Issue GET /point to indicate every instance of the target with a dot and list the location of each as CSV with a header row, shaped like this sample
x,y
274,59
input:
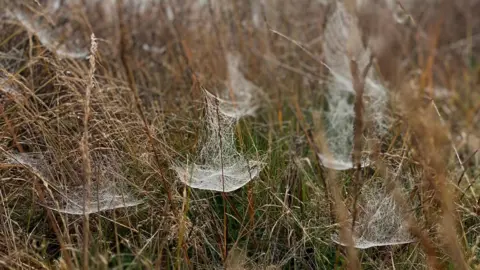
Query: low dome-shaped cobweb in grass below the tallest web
x,y
380,221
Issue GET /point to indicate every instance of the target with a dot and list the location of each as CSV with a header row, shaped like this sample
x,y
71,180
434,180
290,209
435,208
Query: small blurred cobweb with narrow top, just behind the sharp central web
x,y
240,99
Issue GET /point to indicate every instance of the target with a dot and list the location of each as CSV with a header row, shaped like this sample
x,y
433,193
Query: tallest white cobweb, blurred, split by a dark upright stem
x,y
342,42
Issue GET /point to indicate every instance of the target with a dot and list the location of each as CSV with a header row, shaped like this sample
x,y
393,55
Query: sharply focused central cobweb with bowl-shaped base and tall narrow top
x,y
222,167
